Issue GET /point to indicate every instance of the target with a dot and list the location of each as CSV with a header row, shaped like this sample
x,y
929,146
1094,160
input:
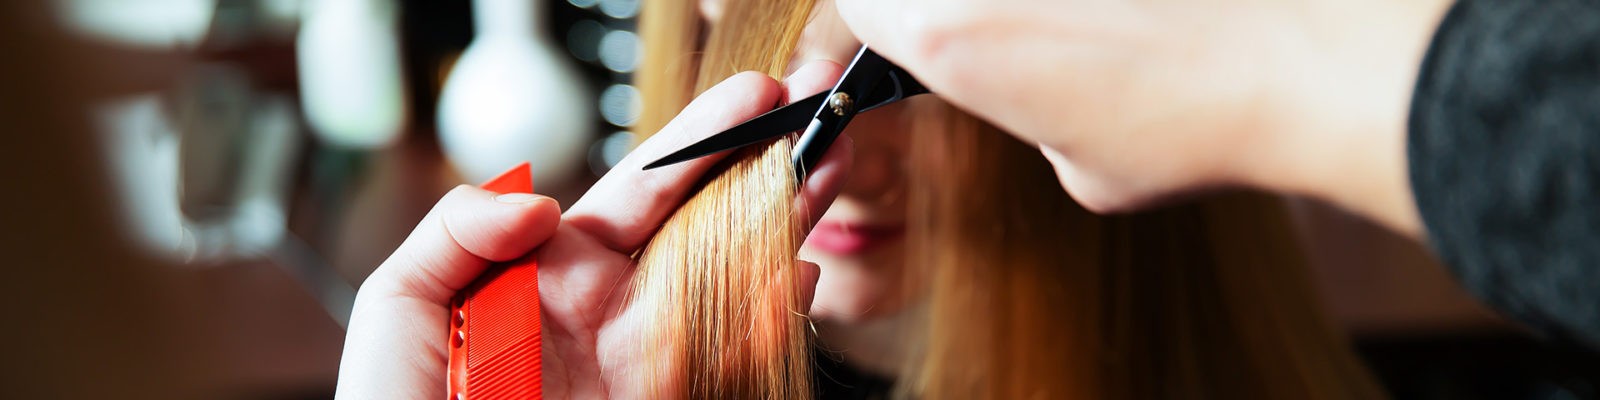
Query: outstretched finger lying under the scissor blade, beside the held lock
x,y
628,206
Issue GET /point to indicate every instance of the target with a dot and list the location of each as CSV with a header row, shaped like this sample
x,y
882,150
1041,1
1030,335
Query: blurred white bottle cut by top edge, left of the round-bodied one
x,y
350,73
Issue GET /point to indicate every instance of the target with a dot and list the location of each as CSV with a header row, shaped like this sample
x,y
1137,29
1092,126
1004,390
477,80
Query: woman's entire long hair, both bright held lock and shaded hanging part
x,y
1028,295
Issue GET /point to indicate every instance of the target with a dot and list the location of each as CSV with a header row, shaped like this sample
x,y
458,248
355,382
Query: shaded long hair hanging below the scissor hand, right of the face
x,y
1031,297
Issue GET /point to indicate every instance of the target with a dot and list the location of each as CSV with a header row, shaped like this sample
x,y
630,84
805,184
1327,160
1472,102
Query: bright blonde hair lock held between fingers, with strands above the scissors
x,y
726,263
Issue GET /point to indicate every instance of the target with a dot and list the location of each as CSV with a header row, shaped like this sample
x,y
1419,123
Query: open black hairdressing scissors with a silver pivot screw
x,y
868,84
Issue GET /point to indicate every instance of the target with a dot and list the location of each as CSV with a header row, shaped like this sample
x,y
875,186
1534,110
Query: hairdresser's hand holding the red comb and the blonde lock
x,y
398,342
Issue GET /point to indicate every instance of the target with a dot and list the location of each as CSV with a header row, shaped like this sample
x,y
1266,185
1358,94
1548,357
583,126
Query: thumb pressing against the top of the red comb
x,y
466,231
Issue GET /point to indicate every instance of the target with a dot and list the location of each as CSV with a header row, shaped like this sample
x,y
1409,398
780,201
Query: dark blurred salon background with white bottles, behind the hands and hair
x,y
196,190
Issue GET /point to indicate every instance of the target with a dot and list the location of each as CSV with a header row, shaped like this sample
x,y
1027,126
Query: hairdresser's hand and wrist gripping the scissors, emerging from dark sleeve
x,y
1143,102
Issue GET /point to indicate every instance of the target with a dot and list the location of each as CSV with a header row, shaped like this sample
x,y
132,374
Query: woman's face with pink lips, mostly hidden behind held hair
x,y
860,242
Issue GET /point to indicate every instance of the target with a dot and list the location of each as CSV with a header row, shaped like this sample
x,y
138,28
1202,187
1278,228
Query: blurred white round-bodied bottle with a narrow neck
x,y
513,98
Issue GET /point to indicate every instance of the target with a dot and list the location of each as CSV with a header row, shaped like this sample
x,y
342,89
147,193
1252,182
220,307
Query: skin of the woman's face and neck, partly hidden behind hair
x,y
860,298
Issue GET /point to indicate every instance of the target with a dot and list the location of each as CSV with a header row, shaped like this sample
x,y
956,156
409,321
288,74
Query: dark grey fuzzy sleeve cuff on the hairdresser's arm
x,y
1505,156
